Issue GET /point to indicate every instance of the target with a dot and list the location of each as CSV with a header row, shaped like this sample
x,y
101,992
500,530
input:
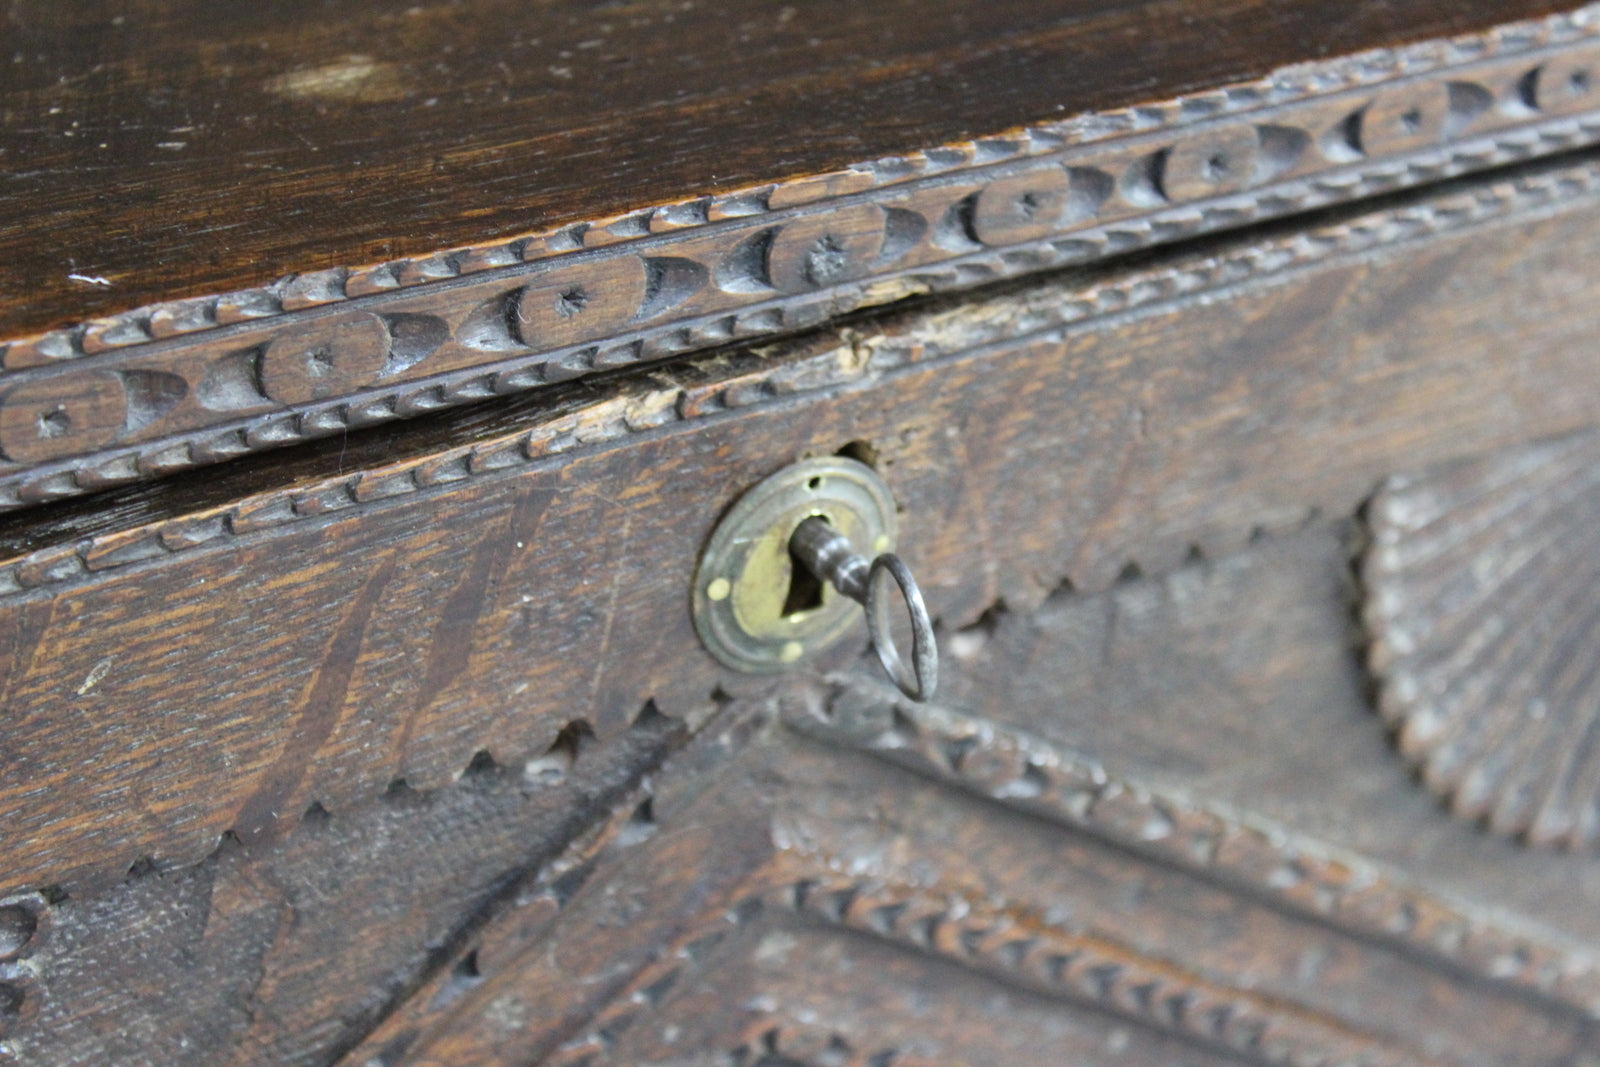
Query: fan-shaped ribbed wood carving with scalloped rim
x,y
1484,610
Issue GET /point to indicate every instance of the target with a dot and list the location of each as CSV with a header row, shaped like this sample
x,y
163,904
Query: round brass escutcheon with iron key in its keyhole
x,y
782,578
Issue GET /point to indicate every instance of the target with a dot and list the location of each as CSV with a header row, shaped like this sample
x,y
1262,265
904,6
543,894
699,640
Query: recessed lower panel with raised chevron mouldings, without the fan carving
x,y
1161,901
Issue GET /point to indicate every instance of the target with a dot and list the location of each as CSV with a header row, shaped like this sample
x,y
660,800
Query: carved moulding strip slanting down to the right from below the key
x,y
1298,873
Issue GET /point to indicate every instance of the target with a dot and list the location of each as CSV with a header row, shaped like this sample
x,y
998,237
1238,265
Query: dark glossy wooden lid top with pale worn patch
x,y
190,148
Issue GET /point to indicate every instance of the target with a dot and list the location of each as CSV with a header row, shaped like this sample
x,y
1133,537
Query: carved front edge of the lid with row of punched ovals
x,y
199,382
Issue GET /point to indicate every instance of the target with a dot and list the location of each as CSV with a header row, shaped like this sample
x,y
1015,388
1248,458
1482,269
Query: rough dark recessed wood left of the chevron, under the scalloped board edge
x,y
290,953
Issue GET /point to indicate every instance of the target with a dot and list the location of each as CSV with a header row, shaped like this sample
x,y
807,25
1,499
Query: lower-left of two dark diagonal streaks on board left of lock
x,y
318,714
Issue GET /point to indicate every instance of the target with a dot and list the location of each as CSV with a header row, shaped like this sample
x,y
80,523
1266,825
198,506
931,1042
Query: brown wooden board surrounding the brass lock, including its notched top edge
x,y
500,577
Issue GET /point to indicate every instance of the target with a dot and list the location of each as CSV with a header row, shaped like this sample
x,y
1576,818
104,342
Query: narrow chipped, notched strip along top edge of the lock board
x,y
606,414
